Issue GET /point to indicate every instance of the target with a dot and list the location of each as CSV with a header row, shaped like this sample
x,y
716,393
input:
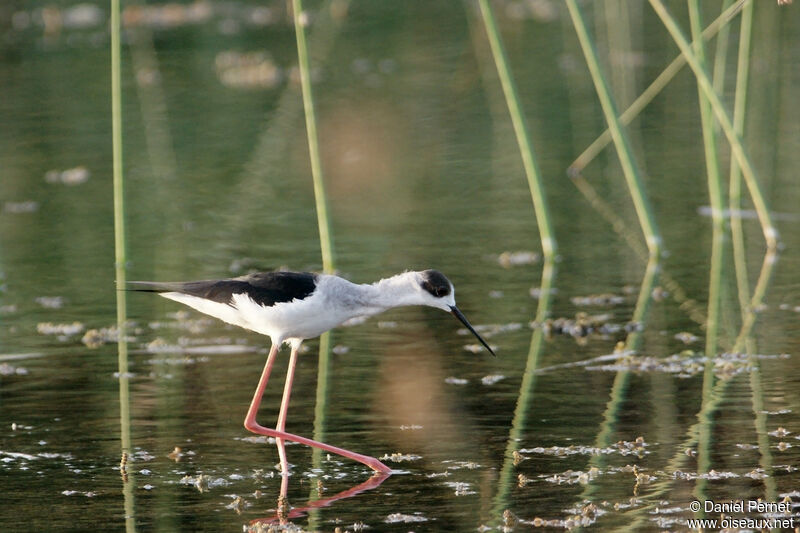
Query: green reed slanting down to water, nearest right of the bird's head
x,y
521,130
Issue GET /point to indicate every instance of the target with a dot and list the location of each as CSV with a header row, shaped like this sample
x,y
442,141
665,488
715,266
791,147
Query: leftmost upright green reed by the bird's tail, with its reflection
x,y
120,261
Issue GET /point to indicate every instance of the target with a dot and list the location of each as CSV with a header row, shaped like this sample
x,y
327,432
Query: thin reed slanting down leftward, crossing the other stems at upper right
x,y
649,94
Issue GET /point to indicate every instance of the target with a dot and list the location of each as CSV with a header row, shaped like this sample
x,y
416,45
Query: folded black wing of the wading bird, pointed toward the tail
x,y
265,288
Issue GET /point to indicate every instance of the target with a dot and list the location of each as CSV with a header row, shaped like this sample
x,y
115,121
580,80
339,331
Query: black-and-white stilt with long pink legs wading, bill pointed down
x,y
293,306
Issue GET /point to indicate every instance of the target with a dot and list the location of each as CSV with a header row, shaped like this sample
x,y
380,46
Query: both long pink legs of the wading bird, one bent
x,y
251,425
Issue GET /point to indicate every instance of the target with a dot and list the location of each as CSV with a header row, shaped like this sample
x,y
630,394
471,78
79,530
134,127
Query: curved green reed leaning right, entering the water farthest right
x,y
735,141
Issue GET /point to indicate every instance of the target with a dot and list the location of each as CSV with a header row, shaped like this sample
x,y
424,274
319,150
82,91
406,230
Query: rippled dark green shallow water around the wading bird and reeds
x,y
423,171
